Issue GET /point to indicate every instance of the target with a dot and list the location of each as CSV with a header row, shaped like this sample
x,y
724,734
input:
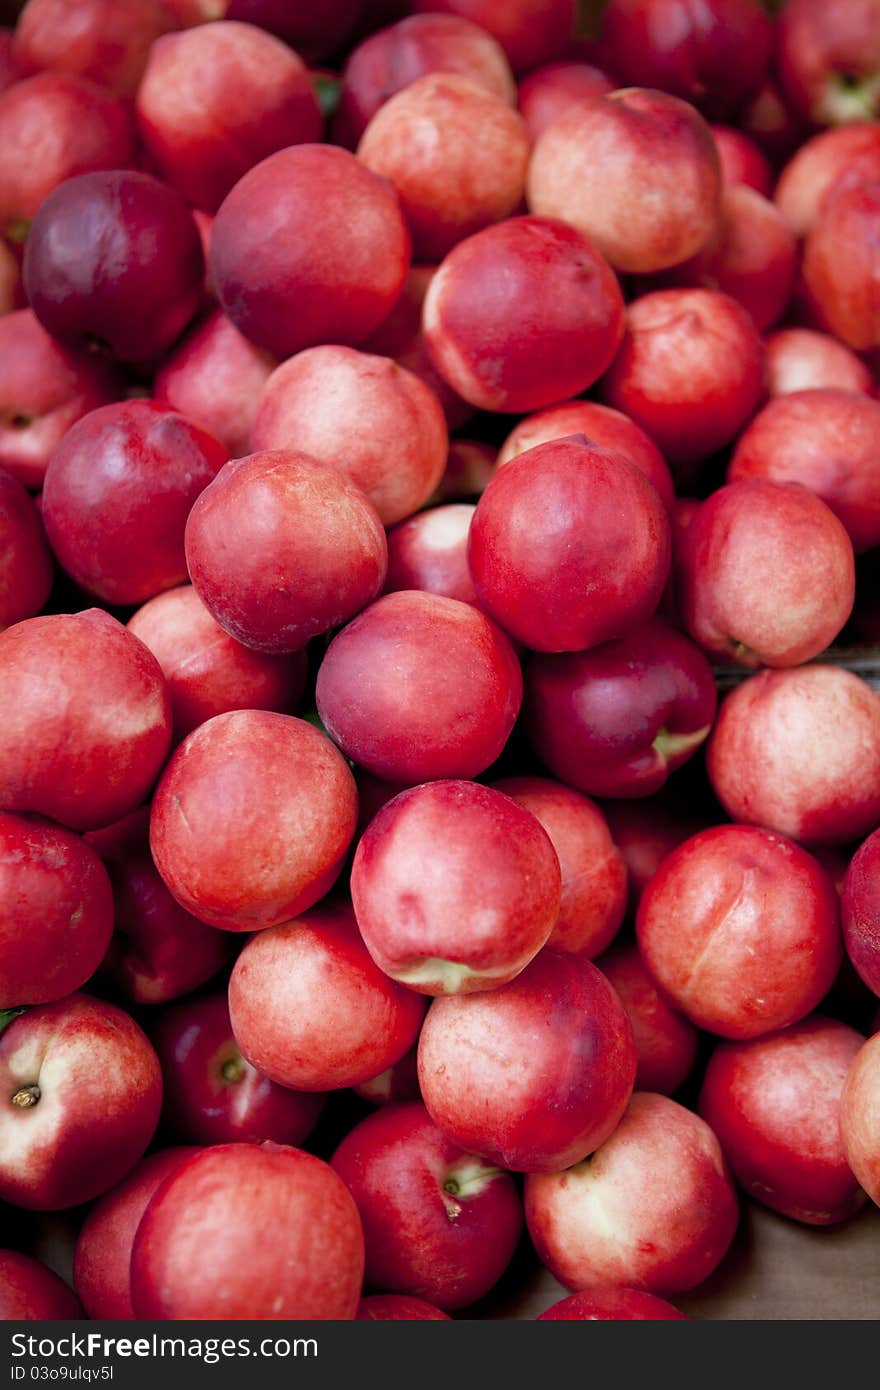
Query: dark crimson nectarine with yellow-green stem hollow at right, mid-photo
x,y
618,719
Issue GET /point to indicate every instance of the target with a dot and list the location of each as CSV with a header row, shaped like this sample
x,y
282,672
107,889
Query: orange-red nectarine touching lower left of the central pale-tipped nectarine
x,y
312,1011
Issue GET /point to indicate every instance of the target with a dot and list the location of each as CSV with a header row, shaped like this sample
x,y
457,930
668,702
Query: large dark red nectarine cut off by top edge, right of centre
x,y
712,55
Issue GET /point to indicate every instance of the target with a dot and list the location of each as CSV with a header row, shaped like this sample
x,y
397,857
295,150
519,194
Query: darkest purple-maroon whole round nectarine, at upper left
x,y
115,261
